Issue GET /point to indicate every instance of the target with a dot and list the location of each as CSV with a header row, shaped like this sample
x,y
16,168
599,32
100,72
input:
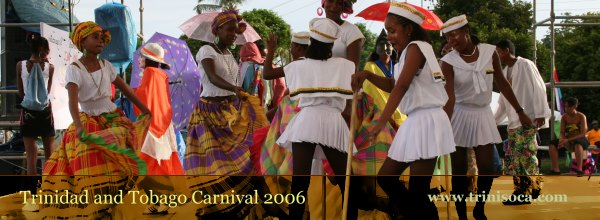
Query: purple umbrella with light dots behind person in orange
x,y
184,77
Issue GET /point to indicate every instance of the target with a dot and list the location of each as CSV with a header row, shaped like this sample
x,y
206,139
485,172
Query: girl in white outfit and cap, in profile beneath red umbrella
x,y
418,90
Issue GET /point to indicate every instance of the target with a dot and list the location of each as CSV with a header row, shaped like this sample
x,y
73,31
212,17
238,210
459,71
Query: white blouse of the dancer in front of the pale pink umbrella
x,y
225,66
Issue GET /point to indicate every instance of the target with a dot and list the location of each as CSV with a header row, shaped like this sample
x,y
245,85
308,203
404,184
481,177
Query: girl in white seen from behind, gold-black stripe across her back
x,y
322,85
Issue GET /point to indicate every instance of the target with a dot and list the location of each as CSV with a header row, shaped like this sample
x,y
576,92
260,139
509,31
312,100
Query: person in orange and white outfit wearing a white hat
x,y
159,149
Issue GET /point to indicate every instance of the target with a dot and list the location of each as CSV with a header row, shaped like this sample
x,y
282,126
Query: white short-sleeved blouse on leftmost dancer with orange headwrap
x,y
94,88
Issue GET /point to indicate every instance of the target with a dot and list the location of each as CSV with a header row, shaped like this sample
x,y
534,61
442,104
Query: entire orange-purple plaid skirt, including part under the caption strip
x,y
220,134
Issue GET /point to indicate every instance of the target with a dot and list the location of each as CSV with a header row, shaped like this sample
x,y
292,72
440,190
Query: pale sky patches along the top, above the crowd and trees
x,y
166,16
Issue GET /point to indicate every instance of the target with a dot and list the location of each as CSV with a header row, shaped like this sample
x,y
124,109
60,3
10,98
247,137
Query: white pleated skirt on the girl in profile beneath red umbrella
x,y
425,134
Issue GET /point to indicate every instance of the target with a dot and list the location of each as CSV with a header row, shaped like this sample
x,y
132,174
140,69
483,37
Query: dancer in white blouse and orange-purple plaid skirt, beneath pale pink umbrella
x,y
221,127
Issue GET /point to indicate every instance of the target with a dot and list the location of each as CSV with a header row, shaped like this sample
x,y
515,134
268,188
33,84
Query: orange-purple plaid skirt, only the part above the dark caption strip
x,y
220,136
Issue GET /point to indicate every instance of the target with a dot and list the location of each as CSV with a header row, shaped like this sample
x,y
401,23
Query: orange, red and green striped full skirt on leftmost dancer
x,y
102,161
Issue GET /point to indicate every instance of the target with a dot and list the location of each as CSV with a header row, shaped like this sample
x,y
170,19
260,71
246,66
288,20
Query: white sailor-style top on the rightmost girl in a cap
x,y
473,81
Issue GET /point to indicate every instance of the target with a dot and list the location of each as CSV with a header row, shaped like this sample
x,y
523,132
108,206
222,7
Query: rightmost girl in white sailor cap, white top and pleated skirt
x,y
470,70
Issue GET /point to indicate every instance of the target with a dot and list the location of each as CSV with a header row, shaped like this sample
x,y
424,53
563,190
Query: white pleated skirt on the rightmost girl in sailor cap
x,y
474,126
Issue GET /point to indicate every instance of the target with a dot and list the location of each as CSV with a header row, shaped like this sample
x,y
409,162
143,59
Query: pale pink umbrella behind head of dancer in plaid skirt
x,y
199,26
